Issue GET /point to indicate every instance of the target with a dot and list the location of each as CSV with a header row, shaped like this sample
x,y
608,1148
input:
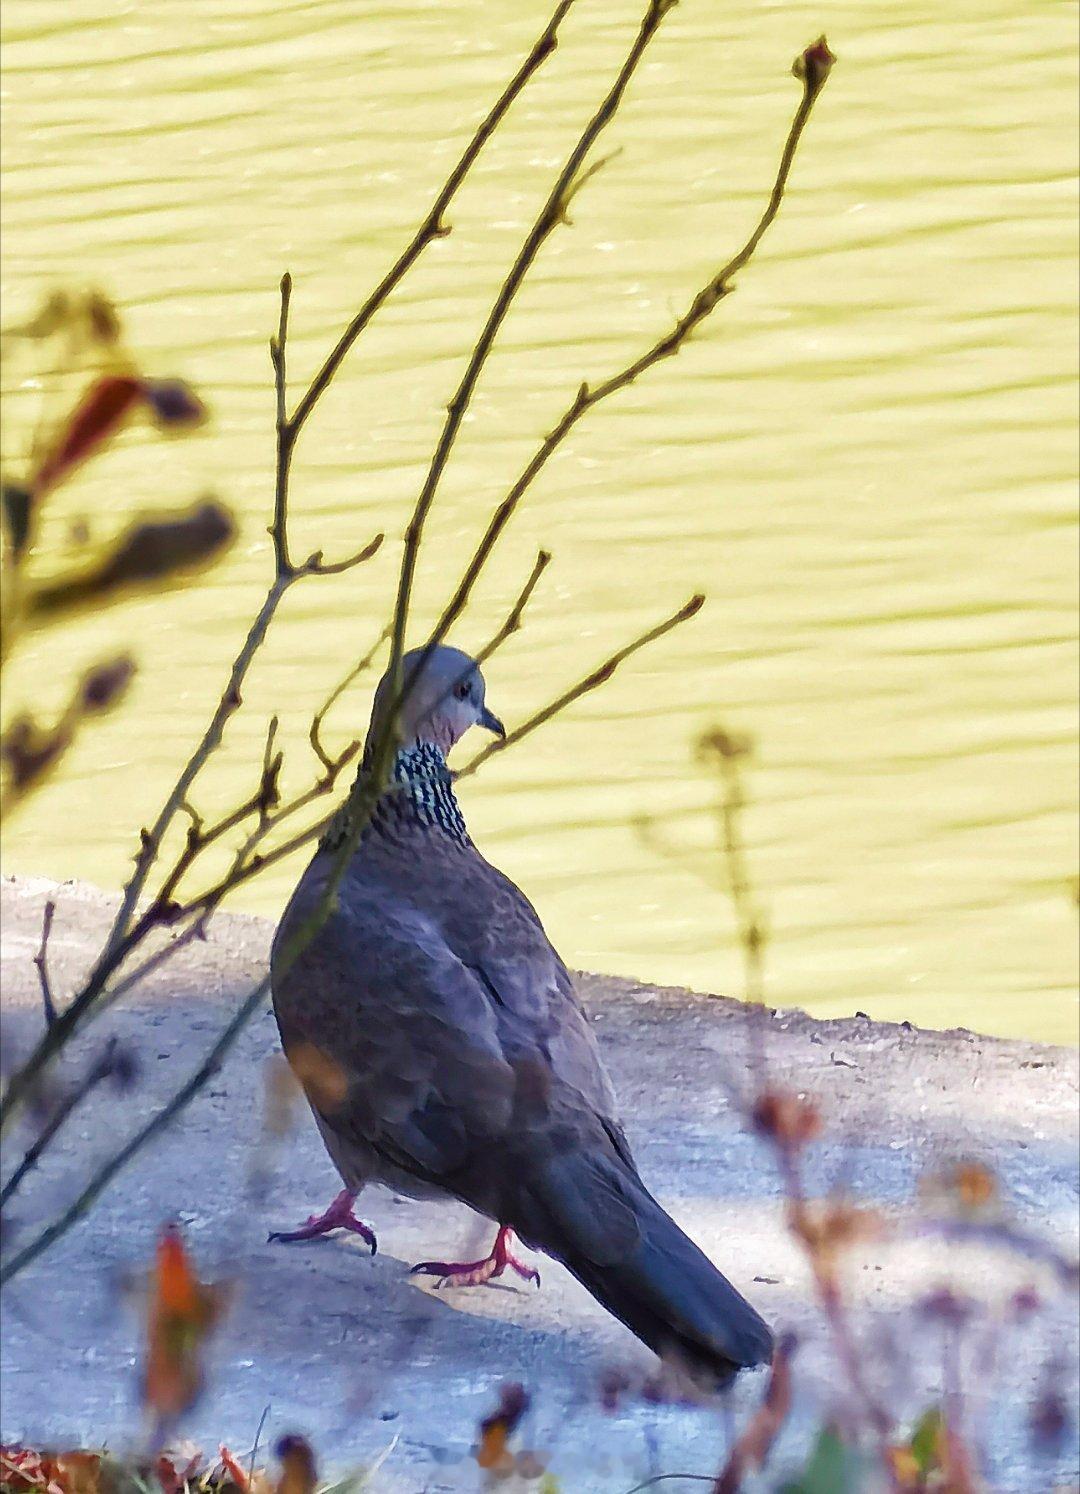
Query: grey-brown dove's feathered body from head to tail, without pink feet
x,y
468,1061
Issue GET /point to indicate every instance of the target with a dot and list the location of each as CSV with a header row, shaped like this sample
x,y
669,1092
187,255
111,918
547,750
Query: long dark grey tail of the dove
x,y
595,1215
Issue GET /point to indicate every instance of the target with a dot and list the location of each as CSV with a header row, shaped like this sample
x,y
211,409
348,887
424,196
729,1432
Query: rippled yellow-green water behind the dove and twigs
x,y
867,461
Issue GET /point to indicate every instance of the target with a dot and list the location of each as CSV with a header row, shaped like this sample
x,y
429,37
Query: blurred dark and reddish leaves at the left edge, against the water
x,y
92,389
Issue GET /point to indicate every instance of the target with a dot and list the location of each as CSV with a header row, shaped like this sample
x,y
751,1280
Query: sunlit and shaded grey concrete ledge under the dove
x,y
353,1353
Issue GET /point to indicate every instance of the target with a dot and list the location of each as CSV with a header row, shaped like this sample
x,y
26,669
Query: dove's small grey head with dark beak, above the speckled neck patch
x,y
446,700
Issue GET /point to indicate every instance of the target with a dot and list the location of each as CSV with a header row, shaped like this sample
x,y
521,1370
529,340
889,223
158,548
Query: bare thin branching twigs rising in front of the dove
x,y
264,813
